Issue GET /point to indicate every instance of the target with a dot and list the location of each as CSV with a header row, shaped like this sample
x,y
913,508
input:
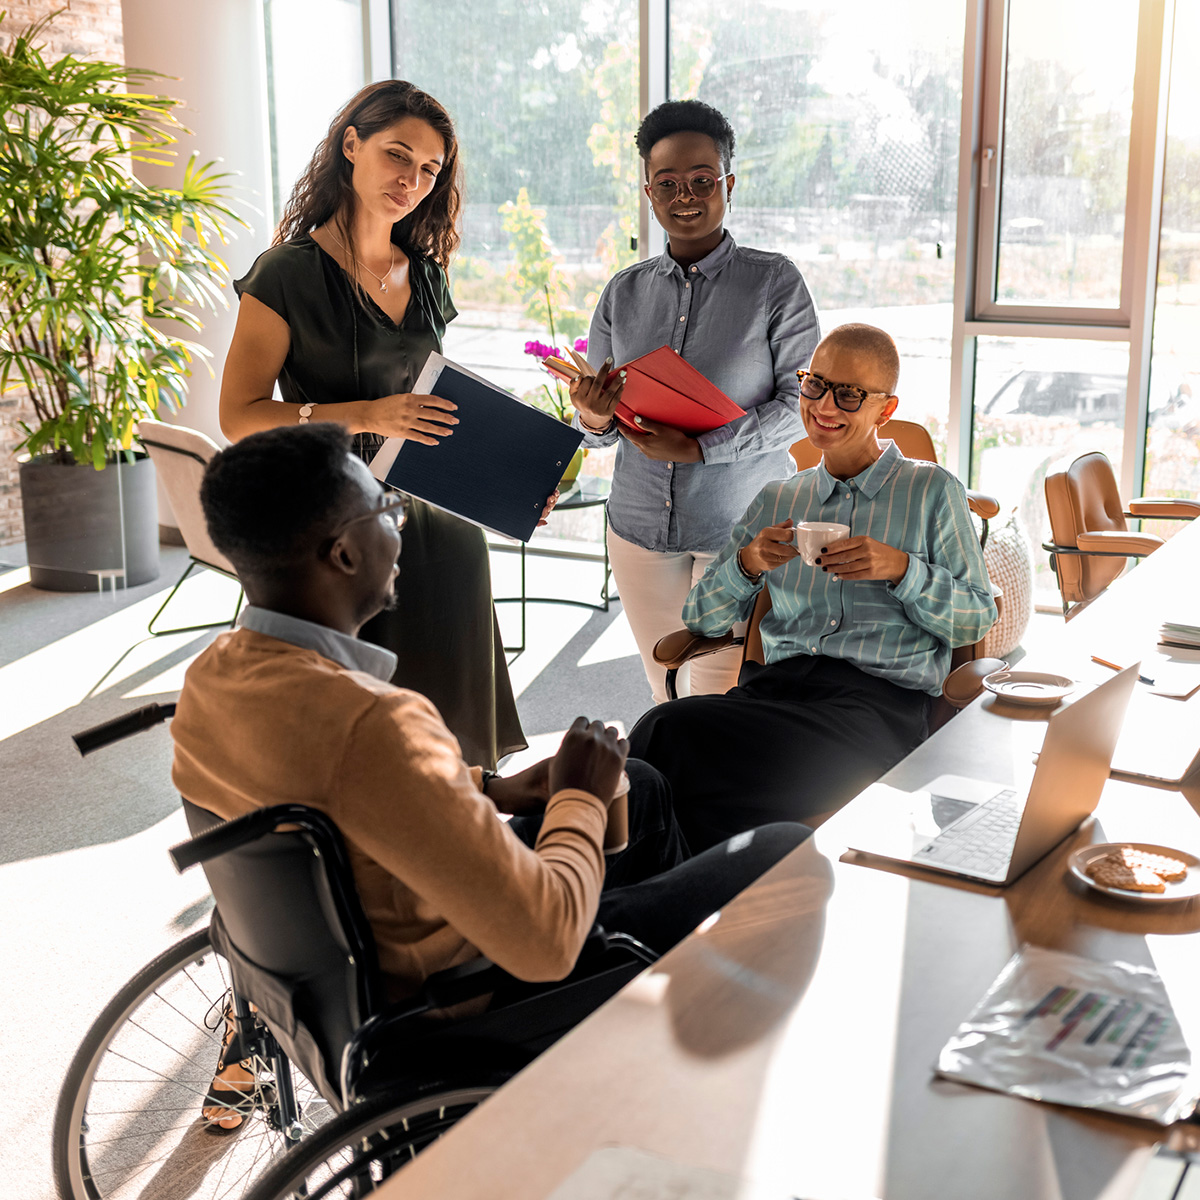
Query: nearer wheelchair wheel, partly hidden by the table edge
x,y
355,1153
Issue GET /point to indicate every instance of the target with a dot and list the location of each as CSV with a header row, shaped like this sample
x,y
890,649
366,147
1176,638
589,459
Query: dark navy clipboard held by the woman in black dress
x,y
499,467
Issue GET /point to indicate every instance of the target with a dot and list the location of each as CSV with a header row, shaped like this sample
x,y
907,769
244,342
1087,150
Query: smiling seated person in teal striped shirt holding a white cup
x,y
860,634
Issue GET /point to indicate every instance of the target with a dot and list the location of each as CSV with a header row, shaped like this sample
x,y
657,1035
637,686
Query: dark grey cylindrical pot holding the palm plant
x,y
85,526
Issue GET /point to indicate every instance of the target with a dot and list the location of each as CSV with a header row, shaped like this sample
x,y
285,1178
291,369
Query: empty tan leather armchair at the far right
x,y
1090,541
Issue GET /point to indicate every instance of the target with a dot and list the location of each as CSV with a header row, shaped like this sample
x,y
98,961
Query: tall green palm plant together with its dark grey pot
x,y
100,277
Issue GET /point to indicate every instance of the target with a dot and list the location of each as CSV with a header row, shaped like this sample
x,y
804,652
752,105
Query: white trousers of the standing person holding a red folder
x,y
653,589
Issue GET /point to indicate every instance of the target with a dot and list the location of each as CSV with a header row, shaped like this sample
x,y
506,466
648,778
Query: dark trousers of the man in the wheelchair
x,y
657,890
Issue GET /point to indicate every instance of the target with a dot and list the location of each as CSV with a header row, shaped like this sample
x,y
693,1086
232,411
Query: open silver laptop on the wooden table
x,y
993,833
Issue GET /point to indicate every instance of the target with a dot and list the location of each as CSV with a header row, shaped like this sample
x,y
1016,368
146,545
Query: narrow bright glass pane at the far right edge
x,y
1173,446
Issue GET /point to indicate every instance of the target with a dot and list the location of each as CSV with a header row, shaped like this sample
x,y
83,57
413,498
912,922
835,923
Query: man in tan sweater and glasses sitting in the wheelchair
x,y
292,709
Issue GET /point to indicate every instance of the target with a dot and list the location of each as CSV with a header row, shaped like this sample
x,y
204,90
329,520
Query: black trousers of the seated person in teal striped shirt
x,y
795,739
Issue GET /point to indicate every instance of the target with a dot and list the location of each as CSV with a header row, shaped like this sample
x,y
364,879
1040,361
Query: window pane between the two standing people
x,y
545,101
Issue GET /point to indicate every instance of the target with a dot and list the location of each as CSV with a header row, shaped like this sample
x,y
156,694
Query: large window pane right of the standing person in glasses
x,y
848,128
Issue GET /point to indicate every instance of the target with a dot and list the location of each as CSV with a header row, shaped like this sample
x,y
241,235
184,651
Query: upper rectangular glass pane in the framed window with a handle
x,y
1066,153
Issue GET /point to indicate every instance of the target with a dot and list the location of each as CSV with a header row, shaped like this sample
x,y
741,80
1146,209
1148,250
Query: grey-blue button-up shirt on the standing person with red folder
x,y
746,320
